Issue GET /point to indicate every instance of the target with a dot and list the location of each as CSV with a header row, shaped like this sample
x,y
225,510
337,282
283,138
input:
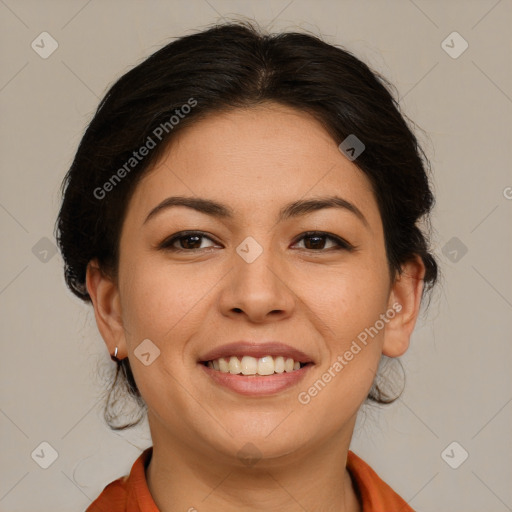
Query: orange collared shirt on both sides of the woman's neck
x,y
131,494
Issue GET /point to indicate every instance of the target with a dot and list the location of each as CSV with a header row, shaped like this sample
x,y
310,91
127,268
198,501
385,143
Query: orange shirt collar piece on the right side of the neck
x,y
375,494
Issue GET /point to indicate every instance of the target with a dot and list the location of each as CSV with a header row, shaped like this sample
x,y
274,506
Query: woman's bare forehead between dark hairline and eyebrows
x,y
254,159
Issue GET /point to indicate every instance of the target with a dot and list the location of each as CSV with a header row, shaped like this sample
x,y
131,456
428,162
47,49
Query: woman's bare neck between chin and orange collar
x,y
180,479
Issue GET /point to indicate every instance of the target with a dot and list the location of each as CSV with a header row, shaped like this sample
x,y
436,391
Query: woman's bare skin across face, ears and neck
x,y
316,299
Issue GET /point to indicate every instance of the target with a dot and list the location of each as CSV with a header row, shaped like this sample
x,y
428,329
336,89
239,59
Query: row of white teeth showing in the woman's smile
x,y
249,365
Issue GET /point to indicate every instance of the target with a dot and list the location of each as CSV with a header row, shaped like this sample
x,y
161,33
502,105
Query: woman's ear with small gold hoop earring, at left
x,y
107,308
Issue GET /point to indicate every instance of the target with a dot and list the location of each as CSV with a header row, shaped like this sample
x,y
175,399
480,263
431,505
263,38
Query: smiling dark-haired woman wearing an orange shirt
x,y
242,213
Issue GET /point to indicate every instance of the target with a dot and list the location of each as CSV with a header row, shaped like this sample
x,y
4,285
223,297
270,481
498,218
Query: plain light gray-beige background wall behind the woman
x,y
54,364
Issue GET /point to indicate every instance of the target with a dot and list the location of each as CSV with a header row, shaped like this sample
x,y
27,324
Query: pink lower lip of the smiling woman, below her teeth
x,y
257,385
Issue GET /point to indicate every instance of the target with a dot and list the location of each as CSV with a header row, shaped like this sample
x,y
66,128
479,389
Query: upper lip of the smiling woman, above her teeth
x,y
257,350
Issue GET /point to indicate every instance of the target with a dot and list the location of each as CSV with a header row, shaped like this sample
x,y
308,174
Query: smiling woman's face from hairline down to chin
x,y
254,276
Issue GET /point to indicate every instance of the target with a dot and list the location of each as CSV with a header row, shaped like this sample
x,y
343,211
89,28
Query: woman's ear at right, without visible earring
x,y
405,291
